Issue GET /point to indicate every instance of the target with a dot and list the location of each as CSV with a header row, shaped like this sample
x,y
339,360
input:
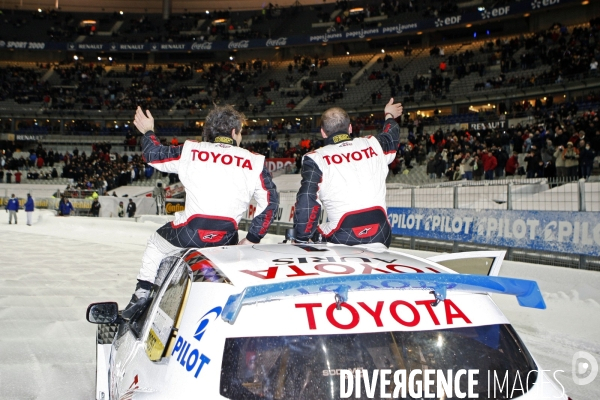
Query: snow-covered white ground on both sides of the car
x,y
51,271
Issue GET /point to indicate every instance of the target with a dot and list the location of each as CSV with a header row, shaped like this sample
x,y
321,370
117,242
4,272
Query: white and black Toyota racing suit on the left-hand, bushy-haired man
x,y
220,179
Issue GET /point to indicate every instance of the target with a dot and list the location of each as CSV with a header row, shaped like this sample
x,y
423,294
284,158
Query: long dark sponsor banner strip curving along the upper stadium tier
x,y
509,10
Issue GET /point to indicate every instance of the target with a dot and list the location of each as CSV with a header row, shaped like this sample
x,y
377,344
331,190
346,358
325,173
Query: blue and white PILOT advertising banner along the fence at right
x,y
557,231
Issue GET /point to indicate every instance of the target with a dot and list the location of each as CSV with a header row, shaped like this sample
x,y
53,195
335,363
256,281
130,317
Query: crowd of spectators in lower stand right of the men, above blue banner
x,y
563,143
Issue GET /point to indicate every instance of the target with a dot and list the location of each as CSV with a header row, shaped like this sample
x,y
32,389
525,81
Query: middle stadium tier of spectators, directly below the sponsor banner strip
x,y
353,81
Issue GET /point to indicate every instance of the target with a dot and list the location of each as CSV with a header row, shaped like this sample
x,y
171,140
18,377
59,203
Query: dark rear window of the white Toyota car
x,y
308,367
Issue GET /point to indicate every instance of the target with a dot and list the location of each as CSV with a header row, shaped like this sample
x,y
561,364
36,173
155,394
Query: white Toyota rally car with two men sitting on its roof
x,y
320,322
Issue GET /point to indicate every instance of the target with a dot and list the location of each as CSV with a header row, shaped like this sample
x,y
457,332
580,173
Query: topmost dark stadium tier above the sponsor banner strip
x,y
271,22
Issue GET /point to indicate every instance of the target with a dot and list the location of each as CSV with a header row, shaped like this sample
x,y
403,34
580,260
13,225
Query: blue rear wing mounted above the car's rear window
x,y
527,292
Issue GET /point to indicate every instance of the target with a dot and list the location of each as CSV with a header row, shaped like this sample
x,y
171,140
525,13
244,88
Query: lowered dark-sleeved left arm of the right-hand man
x,y
307,209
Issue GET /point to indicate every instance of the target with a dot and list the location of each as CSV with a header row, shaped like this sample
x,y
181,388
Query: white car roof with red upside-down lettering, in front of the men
x,y
244,266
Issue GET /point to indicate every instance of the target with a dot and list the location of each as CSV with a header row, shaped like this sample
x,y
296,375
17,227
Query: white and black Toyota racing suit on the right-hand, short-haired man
x,y
347,177
